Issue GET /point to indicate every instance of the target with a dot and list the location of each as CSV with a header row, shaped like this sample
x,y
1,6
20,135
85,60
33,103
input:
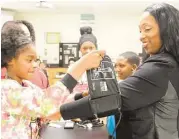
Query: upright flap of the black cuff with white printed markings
x,y
103,89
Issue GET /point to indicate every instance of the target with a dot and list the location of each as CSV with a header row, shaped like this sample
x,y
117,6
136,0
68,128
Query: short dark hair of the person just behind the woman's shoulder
x,y
131,57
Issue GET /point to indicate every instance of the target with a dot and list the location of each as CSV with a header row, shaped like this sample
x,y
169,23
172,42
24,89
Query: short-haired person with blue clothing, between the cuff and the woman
x,y
125,65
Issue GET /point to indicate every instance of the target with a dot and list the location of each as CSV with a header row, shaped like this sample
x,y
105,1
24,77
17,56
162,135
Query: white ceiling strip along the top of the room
x,y
81,6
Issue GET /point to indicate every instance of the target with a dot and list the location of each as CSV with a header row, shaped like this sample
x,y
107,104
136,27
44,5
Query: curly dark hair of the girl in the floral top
x,y
13,39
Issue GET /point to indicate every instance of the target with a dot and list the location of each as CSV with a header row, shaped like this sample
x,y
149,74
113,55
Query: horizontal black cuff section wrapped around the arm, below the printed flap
x,y
87,108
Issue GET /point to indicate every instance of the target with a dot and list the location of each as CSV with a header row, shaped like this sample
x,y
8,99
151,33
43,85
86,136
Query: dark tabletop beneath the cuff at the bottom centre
x,y
76,133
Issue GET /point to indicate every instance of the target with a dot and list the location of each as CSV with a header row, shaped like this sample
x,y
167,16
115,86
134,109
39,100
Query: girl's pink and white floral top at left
x,y
21,103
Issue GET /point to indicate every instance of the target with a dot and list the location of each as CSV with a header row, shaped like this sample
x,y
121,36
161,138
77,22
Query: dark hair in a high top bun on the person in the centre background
x,y
87,35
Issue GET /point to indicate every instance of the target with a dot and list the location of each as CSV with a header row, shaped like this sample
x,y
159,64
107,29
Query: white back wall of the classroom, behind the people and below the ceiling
x,y
115,32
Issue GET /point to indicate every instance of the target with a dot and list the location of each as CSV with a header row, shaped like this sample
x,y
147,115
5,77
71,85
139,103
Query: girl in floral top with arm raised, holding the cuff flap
x,y
23,102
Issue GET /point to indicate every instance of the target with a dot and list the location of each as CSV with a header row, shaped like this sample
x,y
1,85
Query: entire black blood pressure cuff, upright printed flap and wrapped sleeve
x,y
104,95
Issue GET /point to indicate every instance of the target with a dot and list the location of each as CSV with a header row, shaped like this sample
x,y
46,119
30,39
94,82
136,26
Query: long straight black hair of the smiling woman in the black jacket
x,y
167,17
